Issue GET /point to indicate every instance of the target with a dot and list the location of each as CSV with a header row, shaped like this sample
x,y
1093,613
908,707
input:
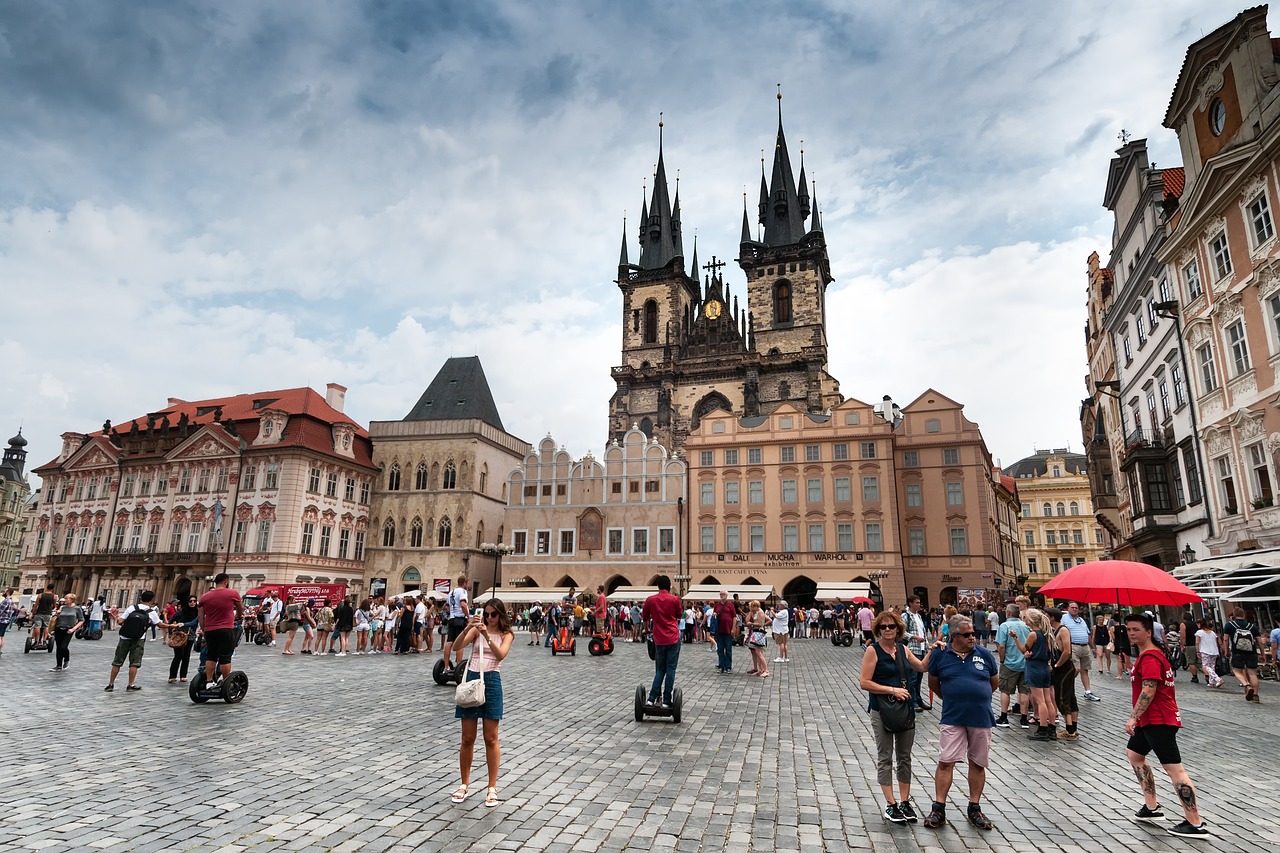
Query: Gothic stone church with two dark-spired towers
x,y
691,346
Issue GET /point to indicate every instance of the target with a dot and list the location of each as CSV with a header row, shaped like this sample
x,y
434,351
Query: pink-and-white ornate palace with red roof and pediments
x,y
272,487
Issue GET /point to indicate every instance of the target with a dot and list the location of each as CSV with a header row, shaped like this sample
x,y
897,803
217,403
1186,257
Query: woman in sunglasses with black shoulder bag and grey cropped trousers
x,y
885,668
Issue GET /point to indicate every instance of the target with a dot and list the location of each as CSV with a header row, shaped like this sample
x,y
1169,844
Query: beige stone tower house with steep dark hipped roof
x,y
442,485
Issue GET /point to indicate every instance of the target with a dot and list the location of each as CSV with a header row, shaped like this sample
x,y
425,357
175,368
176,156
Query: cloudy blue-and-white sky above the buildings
x,y
203,199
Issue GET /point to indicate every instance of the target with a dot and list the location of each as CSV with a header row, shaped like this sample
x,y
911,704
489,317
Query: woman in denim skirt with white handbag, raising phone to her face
x,y
490,636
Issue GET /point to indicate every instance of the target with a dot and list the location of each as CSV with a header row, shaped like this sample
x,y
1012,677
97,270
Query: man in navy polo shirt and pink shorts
x,y
964,676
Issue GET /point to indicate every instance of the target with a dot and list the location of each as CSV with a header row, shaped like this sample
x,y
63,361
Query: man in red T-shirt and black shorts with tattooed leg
x,y
1154,728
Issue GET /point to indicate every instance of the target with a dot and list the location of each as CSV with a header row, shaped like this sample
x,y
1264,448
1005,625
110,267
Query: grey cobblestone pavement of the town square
x,y
360,754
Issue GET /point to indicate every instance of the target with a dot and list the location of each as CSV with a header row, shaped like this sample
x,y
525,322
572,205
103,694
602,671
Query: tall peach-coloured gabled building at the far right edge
x,y
1224,262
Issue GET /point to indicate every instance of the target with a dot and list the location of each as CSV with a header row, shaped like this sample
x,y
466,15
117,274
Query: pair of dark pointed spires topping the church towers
x,y
784,208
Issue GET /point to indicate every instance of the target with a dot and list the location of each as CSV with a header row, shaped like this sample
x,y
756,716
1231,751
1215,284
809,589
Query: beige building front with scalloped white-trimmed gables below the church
x,y
612,522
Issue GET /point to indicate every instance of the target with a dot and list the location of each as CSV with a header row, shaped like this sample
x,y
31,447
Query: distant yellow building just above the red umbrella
x,y
1059,528
